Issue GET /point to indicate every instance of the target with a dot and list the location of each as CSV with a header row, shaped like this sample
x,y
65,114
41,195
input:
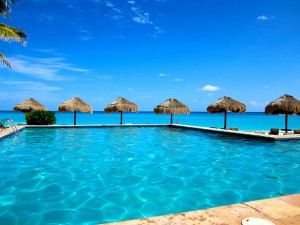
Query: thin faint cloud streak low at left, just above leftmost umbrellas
x,y
31,86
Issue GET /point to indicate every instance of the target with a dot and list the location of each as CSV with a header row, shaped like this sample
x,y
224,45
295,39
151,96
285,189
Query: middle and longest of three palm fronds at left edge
x,y
9,33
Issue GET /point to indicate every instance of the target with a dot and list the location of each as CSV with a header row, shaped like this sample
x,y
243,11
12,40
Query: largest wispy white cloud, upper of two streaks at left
x,y
43,68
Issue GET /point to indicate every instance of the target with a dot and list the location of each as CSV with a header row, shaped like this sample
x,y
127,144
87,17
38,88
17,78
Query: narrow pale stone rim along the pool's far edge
x,y
247,134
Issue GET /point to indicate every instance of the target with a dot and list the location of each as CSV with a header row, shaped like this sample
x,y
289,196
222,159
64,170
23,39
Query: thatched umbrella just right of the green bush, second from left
x,y
75,104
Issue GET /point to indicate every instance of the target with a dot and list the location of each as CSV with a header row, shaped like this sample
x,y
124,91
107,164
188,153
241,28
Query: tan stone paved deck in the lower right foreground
x,y
283,210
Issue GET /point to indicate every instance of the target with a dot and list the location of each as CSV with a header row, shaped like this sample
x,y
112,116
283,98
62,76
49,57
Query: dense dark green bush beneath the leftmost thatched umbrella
x,y
40,117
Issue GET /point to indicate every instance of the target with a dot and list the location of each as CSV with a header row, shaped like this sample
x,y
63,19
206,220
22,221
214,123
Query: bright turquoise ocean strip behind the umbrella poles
x,y
243,121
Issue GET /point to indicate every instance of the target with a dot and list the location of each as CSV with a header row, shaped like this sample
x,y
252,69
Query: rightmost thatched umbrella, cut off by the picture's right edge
x,y
286,104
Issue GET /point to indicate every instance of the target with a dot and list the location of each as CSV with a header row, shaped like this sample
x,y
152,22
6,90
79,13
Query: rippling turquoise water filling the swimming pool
x,y
98,175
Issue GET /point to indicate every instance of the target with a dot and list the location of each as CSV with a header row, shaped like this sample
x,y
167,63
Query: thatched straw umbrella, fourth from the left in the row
x,y
172,106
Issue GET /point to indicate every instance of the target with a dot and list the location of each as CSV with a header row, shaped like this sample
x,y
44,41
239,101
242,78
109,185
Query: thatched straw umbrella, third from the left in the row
x,y
121,105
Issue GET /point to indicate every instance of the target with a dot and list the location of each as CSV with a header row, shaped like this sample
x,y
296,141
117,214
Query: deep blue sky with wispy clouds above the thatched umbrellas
x,y
150,50
